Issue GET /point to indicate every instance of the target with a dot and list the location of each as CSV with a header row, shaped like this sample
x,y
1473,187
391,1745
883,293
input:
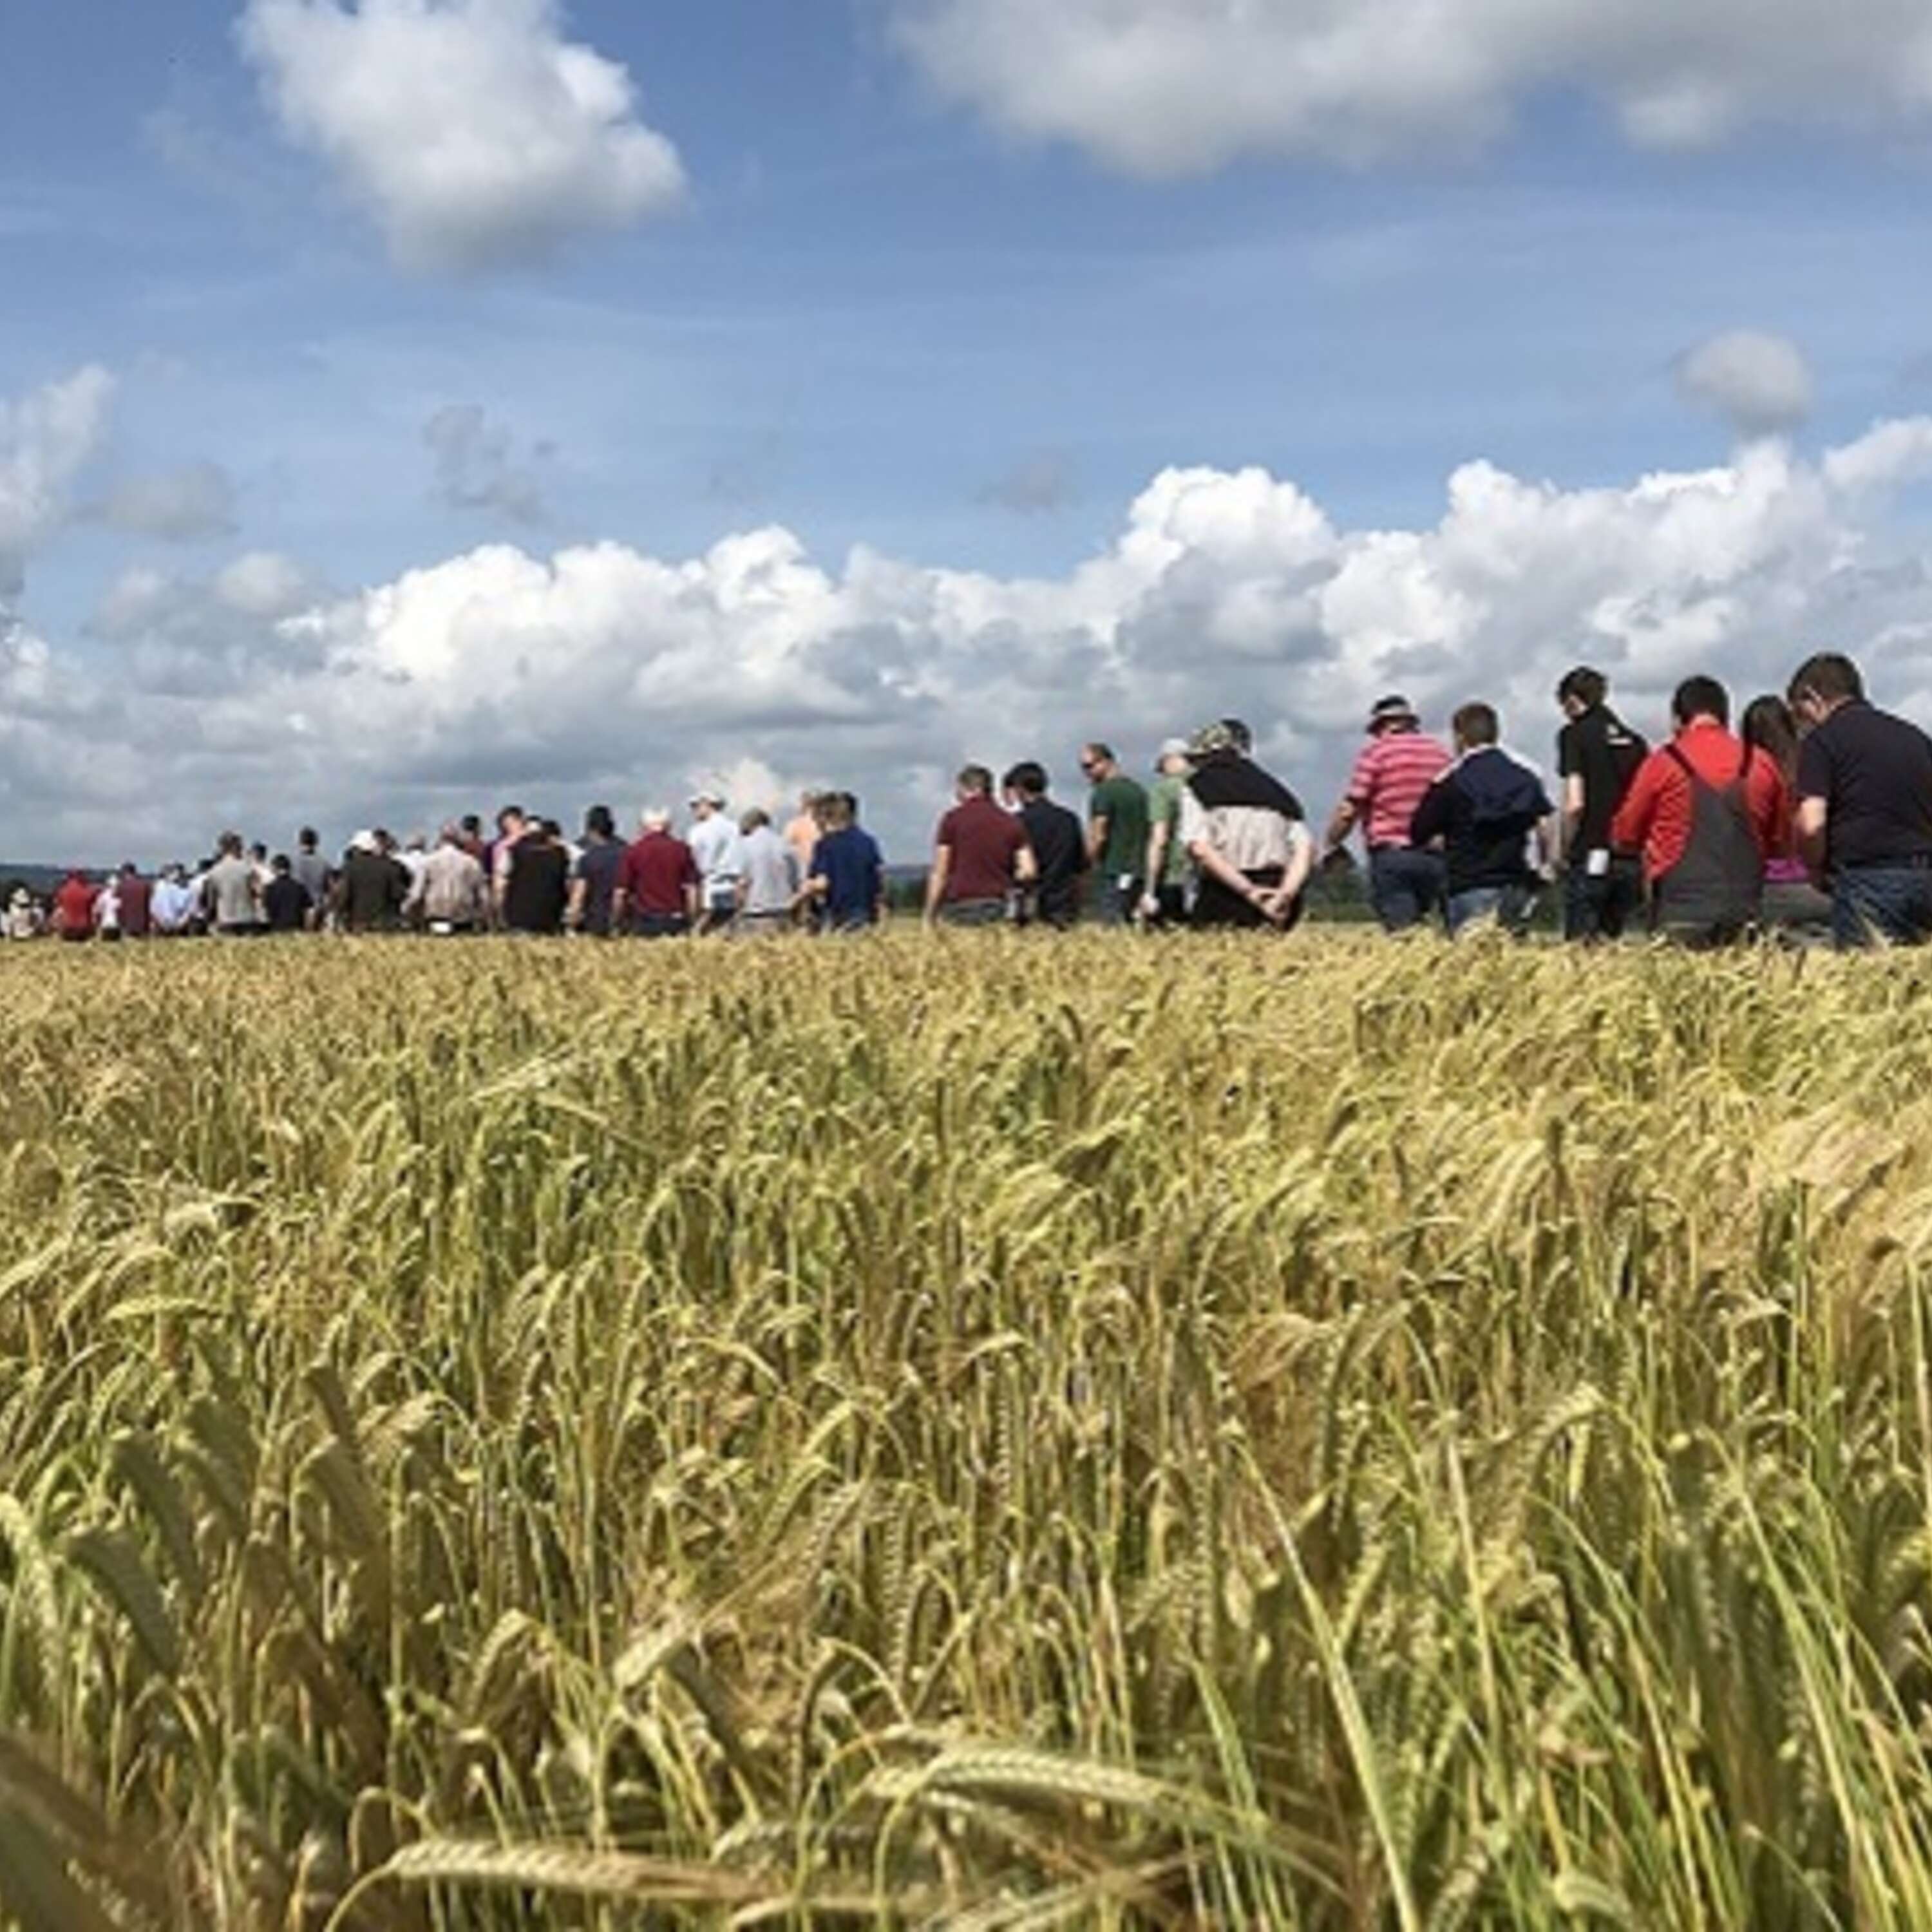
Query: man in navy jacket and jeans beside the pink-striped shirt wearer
x,y
1489,810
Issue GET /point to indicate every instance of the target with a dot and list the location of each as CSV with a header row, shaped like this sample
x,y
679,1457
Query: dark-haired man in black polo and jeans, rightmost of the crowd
x,y
1863,807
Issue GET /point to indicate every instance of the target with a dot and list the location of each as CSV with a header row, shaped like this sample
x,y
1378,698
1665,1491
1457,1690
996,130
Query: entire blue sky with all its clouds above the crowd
x,y
411,407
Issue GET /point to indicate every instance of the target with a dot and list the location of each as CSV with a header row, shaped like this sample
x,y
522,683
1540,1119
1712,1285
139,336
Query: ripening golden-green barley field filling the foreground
x,y
980,1435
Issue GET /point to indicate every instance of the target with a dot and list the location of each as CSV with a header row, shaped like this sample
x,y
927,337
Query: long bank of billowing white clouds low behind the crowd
x,y
600,671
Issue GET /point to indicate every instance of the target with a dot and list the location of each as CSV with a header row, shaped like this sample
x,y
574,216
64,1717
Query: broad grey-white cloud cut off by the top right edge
x,y
1183,86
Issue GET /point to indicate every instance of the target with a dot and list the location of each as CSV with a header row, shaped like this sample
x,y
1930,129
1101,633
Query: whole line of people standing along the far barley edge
x,y
1813,818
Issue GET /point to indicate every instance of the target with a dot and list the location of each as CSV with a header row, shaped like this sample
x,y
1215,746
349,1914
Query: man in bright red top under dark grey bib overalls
x,y
1705,810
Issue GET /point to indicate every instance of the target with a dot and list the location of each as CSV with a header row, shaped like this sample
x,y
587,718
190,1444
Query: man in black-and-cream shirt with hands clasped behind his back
x,y
1245,834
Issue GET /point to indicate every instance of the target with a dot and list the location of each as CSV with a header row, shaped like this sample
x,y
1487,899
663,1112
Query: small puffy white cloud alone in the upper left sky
x,y
472,130
